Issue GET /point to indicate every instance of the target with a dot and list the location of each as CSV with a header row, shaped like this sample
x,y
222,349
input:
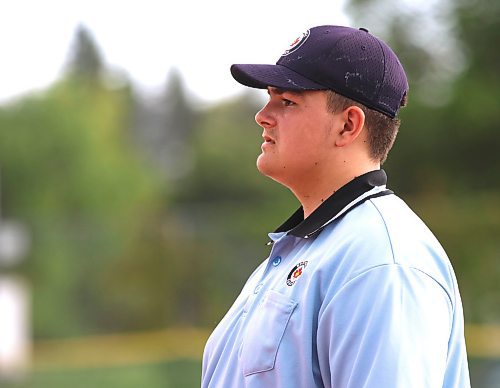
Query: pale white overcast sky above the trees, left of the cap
x,y
146,38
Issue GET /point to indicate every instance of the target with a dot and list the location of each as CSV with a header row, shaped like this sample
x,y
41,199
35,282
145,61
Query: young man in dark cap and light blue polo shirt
x,y
356,291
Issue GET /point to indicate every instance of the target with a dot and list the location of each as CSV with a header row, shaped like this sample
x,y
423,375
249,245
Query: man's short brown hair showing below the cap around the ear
x,y
382,129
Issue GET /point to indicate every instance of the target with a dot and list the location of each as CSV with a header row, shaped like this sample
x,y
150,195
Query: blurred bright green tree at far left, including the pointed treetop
x,y
73,176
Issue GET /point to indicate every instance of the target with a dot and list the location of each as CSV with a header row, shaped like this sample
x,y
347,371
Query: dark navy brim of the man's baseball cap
x,y
262,76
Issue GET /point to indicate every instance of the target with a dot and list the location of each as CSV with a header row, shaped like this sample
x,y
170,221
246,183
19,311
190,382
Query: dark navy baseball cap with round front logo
x,y
349,61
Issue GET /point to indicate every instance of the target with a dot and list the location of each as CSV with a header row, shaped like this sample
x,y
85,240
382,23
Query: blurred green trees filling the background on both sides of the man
x,y
147,212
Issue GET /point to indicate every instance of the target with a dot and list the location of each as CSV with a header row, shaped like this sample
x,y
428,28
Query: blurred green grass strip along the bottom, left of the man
x,y
175,374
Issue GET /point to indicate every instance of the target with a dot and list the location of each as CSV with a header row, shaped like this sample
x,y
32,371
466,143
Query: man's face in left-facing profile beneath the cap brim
x,y
298,136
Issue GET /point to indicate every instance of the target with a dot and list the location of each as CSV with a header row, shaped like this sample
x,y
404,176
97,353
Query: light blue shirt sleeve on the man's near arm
x,y
387,327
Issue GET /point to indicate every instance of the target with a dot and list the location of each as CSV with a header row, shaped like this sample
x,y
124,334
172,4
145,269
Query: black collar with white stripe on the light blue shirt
x,y
336,203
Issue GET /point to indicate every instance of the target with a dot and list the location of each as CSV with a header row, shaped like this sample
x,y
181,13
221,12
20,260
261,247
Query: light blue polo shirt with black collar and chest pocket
x,y
358,295
